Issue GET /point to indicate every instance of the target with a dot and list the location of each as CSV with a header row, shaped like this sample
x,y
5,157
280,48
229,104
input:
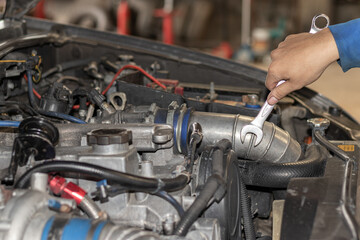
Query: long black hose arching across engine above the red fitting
x,y
126,180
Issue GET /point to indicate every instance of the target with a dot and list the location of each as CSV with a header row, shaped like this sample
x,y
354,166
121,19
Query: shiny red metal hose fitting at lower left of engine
x,y
70,190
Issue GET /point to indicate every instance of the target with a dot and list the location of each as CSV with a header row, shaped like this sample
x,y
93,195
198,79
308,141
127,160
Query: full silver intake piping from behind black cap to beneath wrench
x,y
277,146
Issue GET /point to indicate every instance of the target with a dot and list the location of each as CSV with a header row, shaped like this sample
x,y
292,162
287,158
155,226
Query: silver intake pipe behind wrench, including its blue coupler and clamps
x,y
276,145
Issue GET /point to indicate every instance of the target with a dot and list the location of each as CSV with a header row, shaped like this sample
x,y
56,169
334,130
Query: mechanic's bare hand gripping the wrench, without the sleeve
x,y
300,60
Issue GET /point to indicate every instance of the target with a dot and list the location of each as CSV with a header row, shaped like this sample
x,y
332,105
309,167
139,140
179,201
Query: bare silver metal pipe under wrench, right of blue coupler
x,y
276,145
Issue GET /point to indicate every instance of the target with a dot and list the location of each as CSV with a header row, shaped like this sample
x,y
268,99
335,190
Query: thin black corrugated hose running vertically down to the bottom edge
x,y
245,205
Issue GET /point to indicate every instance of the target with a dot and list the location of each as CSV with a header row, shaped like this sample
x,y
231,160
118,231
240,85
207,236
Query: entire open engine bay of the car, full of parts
x,y
111,137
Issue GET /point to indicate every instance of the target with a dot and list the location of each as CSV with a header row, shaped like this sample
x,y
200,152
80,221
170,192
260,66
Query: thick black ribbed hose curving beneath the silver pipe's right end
x,y
278,175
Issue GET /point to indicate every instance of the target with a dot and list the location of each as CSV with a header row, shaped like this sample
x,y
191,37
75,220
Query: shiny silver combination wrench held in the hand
x,y
255,127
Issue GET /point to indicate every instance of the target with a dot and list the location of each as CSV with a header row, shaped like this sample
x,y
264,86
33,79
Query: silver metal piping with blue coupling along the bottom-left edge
x,y
27,216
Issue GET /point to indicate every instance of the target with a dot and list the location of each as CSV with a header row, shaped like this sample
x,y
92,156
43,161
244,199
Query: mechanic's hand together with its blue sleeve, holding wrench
x,y
302,58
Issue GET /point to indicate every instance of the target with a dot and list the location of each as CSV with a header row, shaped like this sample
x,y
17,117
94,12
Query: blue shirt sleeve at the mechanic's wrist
x,y
347,38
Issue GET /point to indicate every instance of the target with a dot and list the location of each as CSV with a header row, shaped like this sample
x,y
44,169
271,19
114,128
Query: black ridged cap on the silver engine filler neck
x,y
109,136
